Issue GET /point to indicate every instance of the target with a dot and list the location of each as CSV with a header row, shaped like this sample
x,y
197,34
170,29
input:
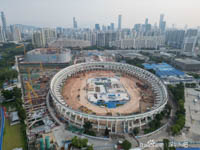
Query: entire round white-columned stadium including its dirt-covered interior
x,y
108,94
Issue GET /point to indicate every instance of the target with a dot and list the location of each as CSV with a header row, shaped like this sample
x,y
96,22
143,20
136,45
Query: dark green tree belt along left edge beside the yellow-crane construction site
x,y
8,52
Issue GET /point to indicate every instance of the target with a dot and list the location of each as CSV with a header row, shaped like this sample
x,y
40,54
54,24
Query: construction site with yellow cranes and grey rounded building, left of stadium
x,y
35,74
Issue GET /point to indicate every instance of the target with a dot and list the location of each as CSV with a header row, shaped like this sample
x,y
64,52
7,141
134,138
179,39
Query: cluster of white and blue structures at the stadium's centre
x,y
108,92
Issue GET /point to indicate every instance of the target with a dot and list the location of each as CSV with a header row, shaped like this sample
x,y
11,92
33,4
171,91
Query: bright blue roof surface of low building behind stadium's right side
x,y
164,69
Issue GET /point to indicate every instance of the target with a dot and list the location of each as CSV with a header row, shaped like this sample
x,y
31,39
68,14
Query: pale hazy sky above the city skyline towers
x,y
52,13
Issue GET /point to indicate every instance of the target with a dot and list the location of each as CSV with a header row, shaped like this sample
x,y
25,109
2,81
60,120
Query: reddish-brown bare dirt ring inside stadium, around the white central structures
x,y
76,96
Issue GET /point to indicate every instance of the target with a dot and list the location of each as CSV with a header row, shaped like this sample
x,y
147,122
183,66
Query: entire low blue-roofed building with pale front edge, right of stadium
x,y
169,74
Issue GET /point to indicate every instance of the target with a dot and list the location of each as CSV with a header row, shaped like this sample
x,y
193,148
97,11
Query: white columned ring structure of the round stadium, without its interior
x,y
116,124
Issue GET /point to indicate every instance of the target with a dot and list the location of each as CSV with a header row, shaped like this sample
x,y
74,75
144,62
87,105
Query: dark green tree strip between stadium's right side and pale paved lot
x,y
178,93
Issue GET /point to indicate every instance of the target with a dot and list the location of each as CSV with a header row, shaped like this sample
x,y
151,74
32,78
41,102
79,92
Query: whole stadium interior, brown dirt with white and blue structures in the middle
x,y
80,95
